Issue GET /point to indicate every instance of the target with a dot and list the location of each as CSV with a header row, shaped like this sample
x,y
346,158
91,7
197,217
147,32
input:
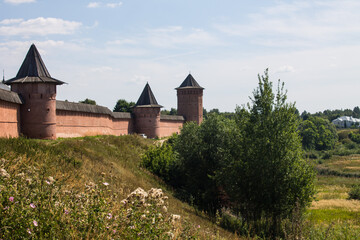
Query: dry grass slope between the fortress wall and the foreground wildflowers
x,y
78,161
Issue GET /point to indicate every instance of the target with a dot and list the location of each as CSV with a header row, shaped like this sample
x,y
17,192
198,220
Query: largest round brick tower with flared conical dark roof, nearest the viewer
x,y
38,91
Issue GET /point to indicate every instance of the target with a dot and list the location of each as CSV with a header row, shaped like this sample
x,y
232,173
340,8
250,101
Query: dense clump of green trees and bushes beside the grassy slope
x,y
252,164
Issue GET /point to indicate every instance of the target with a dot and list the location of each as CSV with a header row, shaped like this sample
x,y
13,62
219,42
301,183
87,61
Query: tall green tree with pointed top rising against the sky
x,y
268,178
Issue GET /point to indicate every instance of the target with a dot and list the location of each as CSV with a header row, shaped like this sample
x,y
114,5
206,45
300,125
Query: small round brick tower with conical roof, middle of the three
x,y
147,114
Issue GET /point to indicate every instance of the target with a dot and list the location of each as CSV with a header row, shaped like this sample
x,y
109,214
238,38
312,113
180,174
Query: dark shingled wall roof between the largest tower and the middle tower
x,y
88,108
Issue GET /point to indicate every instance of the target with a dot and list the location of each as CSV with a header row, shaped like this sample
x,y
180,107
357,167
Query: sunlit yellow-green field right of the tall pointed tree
x,y
331,204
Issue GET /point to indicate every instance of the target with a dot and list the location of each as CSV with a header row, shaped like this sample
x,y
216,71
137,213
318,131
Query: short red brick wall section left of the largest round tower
x,y
9,119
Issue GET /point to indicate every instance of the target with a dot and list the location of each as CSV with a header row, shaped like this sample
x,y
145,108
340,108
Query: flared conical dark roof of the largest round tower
x,y
33,70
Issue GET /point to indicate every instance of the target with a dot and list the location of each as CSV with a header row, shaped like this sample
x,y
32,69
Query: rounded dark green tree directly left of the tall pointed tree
x,y
201,150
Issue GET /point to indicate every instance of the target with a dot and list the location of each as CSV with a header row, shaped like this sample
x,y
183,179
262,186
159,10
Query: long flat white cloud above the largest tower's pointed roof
x,y
37,26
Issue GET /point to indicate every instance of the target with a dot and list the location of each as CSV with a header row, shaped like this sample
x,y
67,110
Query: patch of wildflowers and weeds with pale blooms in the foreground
x,y
35,205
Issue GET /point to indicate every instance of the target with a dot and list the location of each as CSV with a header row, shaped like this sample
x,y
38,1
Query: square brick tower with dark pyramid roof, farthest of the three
x,y
190,104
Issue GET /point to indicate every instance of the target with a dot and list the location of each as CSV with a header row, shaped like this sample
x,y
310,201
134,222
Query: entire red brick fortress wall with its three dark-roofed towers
x,y
31,109
